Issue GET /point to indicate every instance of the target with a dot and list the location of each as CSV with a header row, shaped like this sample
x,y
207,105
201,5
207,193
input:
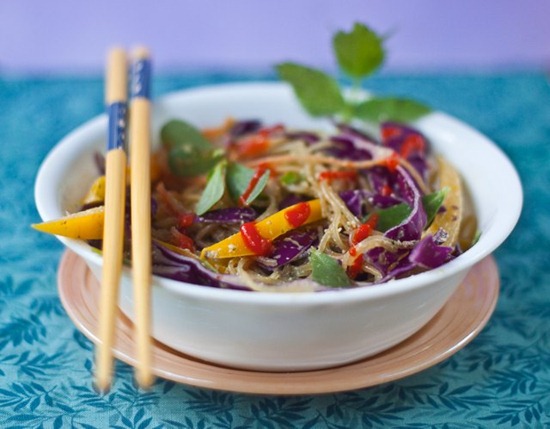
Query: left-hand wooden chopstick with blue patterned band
x,y
115,193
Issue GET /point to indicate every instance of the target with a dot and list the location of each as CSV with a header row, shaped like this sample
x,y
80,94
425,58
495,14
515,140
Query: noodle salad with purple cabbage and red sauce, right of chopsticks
x,y
281,205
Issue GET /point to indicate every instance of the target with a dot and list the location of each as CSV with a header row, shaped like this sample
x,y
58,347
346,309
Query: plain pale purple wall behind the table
x,y
71,36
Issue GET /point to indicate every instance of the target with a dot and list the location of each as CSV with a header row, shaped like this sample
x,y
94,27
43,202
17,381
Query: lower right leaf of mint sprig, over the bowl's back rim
x,y
380,109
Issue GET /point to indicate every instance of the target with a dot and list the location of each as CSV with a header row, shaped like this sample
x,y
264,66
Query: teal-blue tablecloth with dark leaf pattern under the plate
x,y
502,378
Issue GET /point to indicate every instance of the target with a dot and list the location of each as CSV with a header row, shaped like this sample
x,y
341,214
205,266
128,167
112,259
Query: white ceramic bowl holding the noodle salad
x,y
285,331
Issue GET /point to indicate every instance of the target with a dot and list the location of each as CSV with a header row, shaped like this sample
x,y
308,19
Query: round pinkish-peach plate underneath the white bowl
x,y
456,324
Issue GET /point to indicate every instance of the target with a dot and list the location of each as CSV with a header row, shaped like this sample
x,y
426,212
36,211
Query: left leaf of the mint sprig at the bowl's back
x,y
318,92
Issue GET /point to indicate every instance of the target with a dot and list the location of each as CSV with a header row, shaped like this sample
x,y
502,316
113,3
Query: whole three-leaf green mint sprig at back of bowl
x,y
359,54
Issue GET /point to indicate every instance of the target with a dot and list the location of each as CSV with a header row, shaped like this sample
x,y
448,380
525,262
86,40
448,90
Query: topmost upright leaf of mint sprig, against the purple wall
x,y
359,52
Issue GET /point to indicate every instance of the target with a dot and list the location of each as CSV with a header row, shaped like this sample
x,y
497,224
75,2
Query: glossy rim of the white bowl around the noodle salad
x,y
487,243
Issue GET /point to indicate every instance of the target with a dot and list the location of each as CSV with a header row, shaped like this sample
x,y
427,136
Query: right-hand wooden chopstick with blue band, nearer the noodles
x,y
140,140
